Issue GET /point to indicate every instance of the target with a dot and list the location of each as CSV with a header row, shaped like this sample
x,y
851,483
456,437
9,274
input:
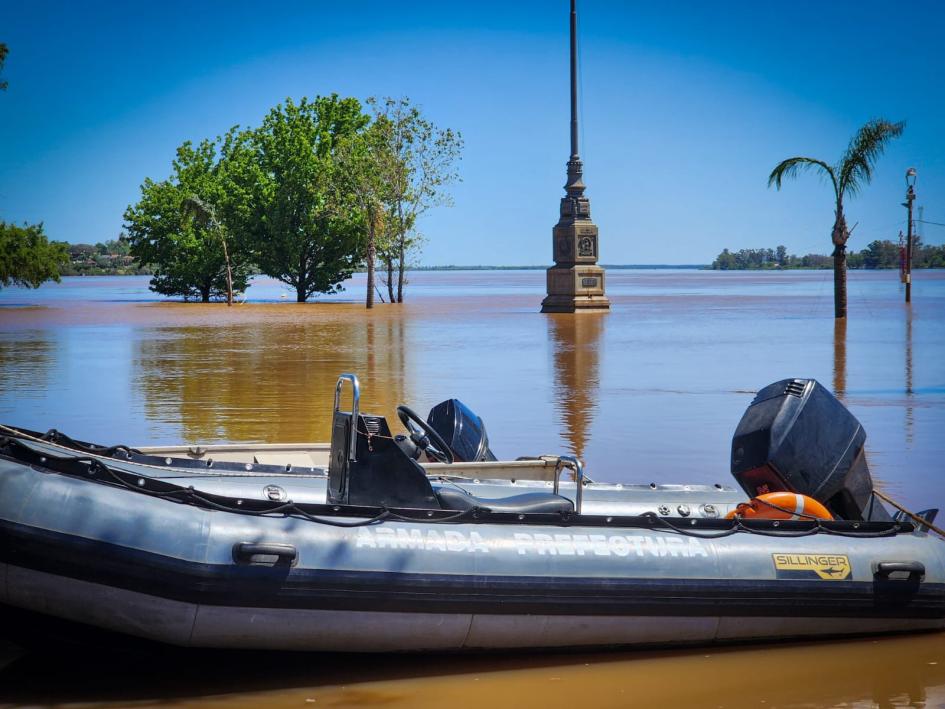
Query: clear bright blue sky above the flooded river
x,y
686,107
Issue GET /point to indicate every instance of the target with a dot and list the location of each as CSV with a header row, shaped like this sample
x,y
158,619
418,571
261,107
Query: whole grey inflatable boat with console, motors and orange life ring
x,y
424,541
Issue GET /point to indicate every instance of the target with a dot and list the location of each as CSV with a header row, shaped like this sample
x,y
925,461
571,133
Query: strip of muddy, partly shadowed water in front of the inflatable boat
x,y
883,672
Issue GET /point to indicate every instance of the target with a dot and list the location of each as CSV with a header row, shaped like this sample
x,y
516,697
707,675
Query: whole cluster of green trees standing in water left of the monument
x,y
319,189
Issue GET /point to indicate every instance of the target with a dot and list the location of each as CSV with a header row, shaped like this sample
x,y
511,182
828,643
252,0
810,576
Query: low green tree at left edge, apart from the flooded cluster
x,y
28,258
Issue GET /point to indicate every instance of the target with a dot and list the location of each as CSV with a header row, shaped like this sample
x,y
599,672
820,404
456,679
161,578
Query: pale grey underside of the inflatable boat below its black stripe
x,y
210,626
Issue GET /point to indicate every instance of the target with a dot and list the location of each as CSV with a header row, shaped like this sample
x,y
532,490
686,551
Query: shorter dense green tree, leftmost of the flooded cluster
x,y
187,255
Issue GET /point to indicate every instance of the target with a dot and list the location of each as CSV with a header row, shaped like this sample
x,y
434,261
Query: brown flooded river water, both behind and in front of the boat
x,y
651,391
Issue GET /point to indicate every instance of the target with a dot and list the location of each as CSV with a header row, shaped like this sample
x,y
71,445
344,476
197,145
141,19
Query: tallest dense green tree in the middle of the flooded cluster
x,y
302,223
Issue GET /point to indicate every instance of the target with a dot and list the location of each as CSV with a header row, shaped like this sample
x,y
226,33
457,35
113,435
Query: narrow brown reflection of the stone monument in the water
x,y
575,341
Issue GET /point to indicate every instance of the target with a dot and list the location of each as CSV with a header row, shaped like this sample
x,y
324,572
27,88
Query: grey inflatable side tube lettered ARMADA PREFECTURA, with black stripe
x,y
111,557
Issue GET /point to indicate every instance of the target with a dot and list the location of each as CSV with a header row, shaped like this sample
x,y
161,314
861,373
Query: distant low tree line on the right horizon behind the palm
x,y
878,254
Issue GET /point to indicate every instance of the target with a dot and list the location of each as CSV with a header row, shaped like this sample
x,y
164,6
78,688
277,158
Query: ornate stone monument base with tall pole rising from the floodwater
x,y
575,283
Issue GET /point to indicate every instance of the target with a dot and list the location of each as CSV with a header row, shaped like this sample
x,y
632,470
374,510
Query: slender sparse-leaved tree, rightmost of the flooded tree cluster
x,y
423,161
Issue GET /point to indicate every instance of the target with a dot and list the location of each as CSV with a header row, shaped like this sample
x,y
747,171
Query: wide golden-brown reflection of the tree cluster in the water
x,y
270,382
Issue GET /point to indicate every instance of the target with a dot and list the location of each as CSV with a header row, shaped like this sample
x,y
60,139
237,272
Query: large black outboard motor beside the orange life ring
x,y
797,437
